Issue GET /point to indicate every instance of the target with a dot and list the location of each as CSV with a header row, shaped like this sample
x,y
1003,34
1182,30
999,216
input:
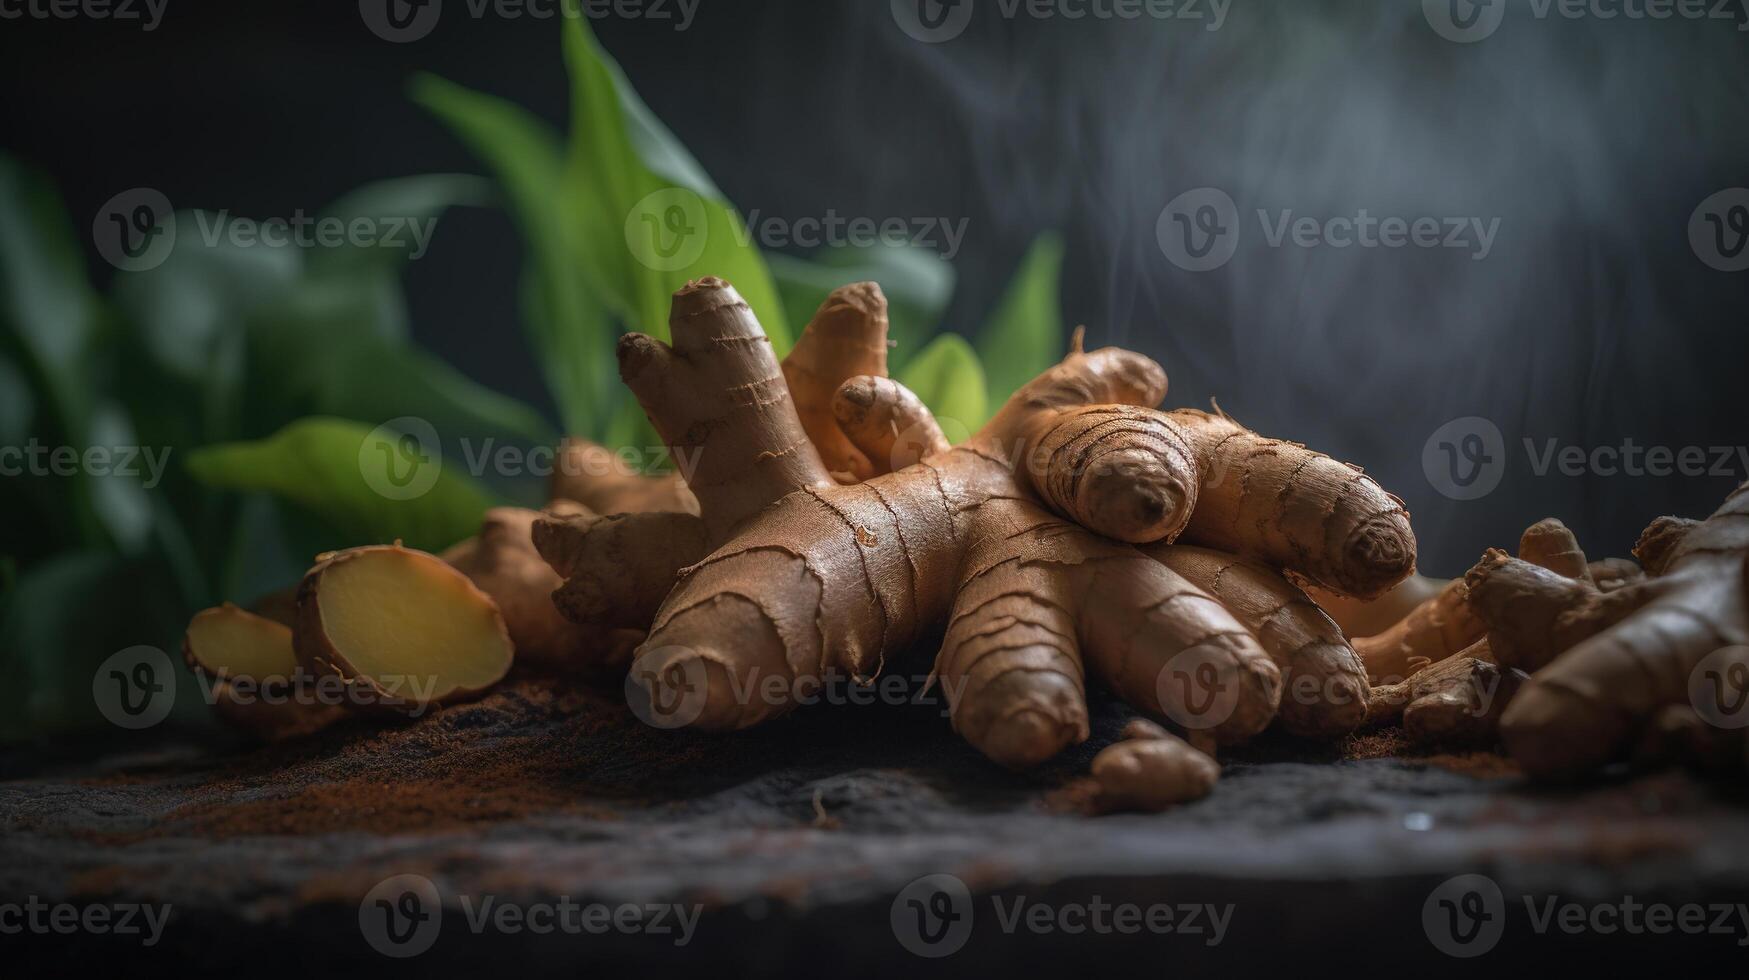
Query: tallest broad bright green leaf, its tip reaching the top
x,y
643,232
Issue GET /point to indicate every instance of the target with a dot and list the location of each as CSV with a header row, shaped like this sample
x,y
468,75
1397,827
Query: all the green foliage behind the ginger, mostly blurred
x,y
272,384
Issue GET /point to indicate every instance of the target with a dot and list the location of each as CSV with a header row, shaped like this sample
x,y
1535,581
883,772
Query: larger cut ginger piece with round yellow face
x,y
401,626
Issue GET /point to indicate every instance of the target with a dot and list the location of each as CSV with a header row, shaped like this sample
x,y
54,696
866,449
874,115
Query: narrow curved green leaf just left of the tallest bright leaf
x,y
566,323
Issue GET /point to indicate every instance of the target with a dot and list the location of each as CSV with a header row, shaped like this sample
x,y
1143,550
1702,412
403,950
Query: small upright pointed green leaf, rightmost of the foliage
x,y
1026,335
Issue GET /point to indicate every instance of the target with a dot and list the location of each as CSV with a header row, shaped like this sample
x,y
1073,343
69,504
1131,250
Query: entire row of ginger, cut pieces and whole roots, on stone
x,y
1218,582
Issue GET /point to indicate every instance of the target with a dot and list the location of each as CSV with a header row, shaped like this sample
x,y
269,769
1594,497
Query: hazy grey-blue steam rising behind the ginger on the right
x,y
1591,141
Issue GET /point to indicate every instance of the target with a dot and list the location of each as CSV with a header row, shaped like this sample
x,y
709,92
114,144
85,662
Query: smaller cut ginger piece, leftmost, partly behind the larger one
x,y
256,680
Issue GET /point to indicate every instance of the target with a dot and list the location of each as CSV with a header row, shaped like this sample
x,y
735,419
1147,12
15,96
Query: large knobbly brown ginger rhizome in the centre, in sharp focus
x,y
1015,554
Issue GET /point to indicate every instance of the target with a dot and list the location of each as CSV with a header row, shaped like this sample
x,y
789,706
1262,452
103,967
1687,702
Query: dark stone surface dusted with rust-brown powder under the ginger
x,y
797,839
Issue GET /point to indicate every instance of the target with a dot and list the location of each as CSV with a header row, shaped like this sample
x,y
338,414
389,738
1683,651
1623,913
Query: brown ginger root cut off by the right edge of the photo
x,y
1606,666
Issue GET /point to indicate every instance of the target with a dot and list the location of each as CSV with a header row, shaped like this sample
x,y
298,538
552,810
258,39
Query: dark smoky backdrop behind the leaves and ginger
x,y
1591,323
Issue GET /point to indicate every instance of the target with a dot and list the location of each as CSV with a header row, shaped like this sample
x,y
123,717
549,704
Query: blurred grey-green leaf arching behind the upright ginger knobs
x,y
917,283
